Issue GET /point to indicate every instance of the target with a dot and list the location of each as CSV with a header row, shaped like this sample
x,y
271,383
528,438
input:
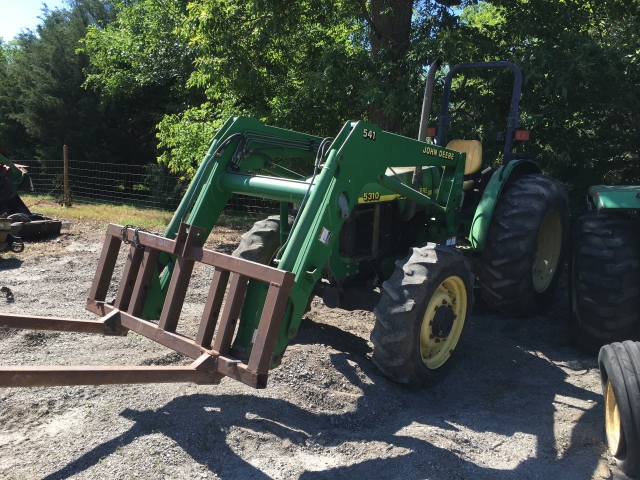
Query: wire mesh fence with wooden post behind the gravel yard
x,y
142,186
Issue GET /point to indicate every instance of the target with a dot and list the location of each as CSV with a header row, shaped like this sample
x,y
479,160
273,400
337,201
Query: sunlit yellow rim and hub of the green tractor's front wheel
x,y
451,296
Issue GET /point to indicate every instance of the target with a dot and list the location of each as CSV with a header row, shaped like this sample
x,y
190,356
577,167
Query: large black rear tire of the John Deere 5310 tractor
x,y
513,240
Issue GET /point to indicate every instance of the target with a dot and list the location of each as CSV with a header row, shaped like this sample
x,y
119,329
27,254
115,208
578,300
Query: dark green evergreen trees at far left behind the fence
x,y
43,91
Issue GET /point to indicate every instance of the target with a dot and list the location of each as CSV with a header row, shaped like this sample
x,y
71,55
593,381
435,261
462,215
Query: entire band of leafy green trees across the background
x,y
184,67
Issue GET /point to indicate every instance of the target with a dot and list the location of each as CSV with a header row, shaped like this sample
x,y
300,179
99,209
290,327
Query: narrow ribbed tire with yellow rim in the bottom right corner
x,y
620,372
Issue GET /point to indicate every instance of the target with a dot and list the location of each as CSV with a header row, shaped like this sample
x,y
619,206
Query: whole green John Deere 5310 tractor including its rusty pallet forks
x,y
383,222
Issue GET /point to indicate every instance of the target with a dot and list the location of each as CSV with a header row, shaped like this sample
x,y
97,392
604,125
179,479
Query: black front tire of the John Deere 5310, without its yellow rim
x,y
396,336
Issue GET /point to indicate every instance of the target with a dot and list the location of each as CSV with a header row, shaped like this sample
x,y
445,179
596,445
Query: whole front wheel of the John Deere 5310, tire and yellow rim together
x,y
423,315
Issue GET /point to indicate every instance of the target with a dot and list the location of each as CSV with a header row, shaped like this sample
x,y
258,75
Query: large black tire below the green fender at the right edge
x,y
605,280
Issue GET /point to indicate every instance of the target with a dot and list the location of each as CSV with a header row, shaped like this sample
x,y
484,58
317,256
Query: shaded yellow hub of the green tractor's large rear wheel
x,y
548,246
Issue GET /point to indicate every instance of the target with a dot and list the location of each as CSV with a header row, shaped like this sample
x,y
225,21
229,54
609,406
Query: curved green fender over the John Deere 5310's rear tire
x,y
484,211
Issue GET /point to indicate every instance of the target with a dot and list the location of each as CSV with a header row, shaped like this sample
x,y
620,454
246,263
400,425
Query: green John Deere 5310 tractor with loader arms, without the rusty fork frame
x,y
381,210
